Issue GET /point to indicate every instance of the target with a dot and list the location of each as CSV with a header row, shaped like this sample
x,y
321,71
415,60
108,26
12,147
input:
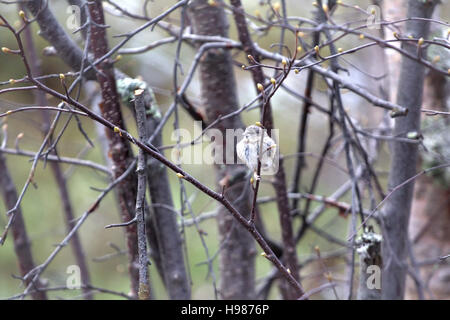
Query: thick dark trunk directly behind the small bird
x,y
219,97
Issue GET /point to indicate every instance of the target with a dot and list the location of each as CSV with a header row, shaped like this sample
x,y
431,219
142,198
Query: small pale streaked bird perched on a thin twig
x,y
248,149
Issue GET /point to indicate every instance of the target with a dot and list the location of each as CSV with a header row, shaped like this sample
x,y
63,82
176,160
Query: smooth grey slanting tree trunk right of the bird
x,y
396,213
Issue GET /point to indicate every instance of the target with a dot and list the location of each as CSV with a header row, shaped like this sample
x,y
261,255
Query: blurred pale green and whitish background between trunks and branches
x,y
41,206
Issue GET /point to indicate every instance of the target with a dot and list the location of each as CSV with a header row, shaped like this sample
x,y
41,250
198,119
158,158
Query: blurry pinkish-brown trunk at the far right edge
x,y
430,214
